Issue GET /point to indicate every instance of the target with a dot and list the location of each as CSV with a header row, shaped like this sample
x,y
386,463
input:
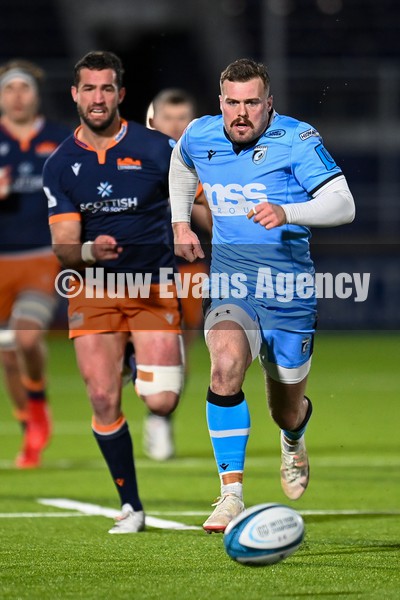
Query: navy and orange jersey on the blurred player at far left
x,y
23,214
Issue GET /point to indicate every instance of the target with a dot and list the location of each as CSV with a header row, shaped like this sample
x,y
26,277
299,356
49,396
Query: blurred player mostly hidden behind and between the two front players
x,y
170,112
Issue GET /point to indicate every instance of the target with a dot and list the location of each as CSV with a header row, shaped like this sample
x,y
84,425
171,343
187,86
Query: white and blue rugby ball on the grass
x,y
264,534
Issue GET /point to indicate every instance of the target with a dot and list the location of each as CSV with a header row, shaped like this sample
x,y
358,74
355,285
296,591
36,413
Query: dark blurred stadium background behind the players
x,y
333,63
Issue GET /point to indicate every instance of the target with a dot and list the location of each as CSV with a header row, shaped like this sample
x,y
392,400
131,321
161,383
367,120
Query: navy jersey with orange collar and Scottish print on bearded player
x,y
122,192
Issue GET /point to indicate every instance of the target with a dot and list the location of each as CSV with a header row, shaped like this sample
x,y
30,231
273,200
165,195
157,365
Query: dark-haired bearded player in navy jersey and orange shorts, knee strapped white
x,y
107,190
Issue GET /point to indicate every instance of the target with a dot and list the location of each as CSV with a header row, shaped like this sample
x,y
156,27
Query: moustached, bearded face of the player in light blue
x,y
245,109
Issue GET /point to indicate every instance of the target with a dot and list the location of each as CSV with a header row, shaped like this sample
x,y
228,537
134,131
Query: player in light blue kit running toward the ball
x,y
267,179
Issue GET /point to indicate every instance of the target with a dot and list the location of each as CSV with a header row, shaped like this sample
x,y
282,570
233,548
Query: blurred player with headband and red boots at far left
x,y
27,264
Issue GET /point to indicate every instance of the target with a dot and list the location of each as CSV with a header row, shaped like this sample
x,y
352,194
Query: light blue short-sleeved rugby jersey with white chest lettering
x,y
285,165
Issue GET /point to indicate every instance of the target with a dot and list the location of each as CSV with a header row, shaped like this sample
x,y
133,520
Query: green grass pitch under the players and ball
x,y
351,508
